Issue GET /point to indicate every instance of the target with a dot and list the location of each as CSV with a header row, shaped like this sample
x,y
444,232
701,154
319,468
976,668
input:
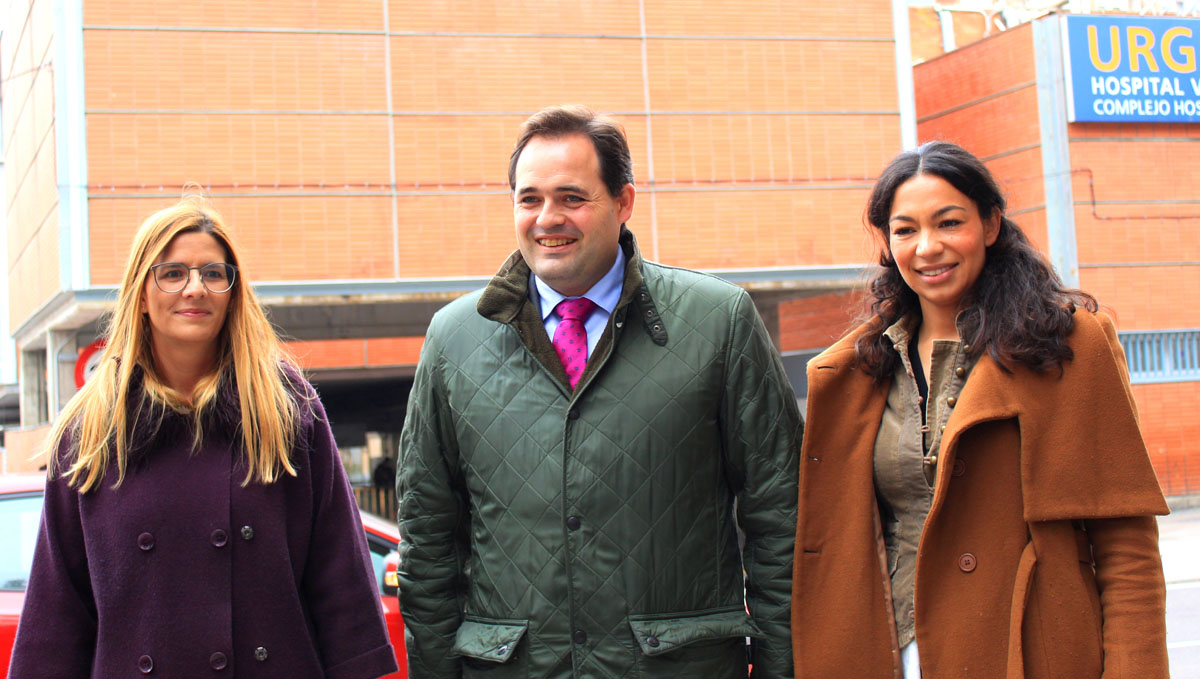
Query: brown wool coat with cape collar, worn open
x,y
1040,477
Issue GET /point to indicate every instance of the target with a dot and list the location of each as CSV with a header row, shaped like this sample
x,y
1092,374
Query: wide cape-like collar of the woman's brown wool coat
x,y
1063,435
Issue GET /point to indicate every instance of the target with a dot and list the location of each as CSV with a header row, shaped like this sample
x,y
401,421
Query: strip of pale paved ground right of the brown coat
x,y
1179,539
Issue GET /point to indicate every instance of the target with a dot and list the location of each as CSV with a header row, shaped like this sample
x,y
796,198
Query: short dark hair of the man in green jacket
x,y
608,136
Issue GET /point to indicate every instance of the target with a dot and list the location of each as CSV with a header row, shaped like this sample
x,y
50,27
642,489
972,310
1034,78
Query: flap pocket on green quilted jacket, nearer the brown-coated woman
x,y
694,636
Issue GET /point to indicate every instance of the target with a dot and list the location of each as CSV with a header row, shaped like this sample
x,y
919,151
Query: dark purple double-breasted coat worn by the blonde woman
x,y
183,573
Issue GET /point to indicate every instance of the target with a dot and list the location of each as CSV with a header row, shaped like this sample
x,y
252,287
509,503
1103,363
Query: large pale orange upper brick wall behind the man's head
x,y
357,145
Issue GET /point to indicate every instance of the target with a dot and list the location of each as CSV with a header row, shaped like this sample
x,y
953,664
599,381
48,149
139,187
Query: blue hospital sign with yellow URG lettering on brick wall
x,y
1132,69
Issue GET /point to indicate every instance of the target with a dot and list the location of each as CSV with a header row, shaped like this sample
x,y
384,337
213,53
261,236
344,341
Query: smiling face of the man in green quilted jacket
x,y
567,223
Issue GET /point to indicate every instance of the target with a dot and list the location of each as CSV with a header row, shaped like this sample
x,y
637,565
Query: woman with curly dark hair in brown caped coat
x,y
974,484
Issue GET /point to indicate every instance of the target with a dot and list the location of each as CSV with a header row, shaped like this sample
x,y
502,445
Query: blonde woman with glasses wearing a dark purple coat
x,y
197,519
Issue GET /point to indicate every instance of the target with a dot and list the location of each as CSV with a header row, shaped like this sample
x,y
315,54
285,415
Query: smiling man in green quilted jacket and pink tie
x,y
586,440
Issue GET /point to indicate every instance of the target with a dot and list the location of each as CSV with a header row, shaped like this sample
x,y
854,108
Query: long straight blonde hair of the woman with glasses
x,y
250,354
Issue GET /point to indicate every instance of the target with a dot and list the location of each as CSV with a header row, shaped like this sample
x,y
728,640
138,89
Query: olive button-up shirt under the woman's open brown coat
x,y
907,459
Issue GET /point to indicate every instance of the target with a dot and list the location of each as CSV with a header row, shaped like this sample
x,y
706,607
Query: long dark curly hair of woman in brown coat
x,y
1019,311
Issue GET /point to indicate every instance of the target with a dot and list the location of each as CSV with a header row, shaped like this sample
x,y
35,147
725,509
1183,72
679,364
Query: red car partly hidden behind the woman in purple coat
x,y
21,514
